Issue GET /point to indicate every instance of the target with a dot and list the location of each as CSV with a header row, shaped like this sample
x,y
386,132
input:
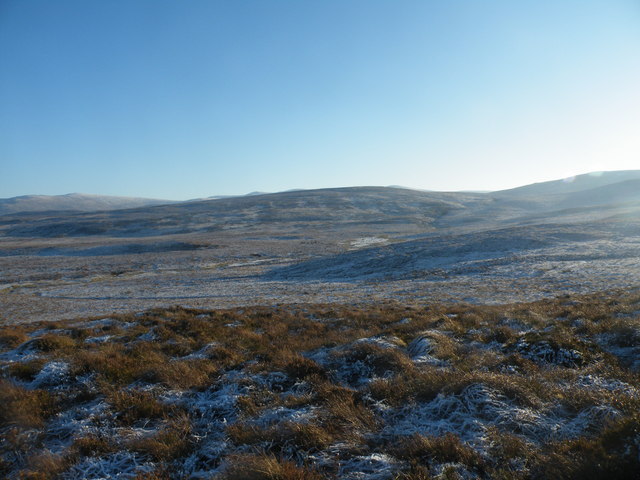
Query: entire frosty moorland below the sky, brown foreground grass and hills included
x,y
355,333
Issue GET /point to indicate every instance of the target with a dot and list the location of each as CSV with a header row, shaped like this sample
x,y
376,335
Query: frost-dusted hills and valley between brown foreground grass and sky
x,y
357,244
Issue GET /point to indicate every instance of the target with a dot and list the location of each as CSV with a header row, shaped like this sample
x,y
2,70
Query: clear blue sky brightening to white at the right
x,y
179,100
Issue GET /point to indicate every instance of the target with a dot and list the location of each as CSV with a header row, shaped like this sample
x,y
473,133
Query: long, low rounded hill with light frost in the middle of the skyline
x,y
345,208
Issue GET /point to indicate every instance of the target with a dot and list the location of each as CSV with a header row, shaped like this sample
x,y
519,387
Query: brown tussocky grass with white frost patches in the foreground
x,y
548,389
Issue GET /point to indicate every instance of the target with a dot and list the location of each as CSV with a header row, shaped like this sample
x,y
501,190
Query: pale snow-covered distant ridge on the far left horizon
x,y
73,202
